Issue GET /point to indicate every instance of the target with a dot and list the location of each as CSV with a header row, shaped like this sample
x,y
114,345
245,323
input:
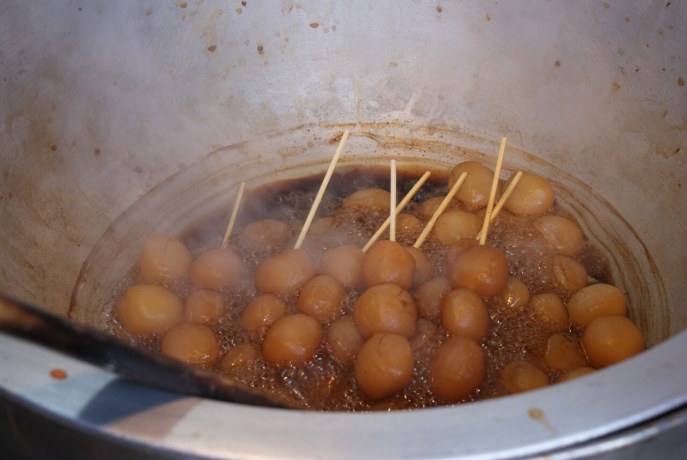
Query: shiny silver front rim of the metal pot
x,y
521,425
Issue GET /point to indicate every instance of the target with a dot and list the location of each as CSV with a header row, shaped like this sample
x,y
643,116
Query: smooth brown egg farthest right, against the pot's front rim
x,y
610,339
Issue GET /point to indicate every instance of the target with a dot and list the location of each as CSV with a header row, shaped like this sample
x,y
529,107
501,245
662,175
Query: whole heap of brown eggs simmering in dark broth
x,y
394,317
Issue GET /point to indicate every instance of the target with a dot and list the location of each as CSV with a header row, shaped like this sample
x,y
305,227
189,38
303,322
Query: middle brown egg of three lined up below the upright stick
x,y
385,308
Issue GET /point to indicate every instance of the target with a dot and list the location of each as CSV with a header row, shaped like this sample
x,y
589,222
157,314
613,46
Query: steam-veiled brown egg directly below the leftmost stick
x,y
217,269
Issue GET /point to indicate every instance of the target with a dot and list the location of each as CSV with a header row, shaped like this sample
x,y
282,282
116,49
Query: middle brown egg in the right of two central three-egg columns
x,y
463,313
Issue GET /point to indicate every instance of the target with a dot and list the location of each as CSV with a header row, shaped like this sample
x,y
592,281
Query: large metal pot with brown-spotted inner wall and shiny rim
x,y
113,107
